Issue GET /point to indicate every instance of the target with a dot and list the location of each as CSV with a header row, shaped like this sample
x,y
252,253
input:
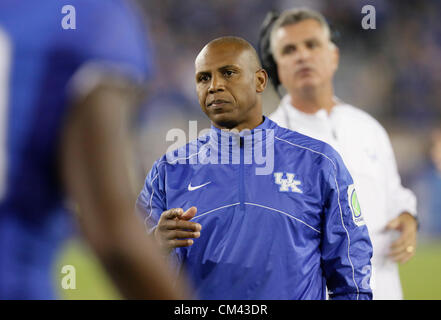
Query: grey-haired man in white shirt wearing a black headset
x,y
298,52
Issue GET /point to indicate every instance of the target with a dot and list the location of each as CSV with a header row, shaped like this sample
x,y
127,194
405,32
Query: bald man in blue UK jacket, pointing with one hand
x,y
287,227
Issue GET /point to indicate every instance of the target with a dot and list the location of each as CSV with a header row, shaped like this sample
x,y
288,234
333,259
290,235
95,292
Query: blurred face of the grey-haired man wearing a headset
x,y
305,56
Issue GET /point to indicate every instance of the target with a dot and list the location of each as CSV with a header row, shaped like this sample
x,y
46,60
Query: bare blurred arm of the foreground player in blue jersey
x,y
95,169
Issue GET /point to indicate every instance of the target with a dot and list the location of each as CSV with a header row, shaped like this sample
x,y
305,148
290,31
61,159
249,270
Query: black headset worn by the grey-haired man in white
x,y
265,55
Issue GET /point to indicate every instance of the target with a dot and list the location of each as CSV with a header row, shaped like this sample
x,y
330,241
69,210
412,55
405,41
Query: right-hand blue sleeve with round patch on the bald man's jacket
x,y
346,246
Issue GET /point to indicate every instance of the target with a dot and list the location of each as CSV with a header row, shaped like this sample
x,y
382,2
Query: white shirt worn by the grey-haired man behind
x,y
367,152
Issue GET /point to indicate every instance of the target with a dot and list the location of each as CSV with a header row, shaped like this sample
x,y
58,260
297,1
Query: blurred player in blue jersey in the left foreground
x,y
68,87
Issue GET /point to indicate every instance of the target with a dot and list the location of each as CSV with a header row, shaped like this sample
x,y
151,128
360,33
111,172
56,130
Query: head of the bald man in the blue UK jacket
x,y
227,85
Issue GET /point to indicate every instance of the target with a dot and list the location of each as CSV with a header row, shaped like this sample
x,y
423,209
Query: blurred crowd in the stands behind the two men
x,y
392,72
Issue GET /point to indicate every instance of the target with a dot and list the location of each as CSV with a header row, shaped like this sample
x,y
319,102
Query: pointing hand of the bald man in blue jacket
x,y
174,230
